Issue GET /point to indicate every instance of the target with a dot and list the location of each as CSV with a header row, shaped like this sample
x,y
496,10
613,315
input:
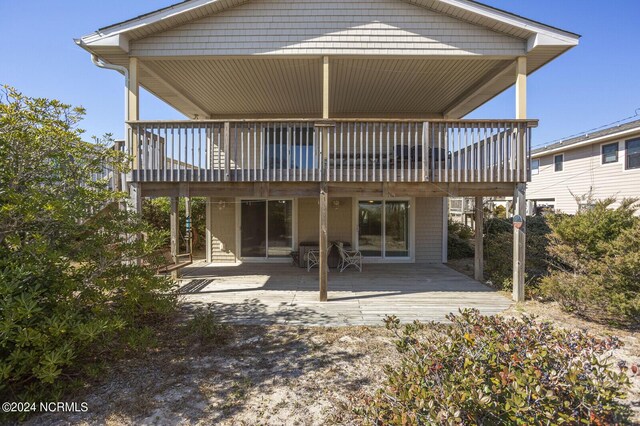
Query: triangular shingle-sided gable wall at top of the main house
x,y
333,27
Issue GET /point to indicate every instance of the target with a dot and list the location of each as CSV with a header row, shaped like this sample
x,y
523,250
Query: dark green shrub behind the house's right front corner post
x,y
498,251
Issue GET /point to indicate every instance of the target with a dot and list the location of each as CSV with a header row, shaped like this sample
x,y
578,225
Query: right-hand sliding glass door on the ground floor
x,y
383,228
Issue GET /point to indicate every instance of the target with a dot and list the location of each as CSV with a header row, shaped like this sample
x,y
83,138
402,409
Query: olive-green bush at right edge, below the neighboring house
x,y
596,255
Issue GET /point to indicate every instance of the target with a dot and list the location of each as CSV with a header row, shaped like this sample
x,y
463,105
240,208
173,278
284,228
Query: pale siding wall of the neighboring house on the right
x,y
584,171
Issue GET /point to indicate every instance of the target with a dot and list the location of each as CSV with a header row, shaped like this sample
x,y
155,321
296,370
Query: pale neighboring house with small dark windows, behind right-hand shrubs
x,y
594,166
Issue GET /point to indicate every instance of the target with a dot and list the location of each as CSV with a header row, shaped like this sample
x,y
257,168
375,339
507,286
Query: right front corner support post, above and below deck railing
x,y
519,196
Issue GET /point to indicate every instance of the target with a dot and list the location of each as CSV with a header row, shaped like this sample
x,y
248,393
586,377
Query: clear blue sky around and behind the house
x,y
594,84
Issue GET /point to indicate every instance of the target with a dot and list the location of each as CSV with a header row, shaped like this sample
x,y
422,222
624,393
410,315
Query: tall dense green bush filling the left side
x,y
71,287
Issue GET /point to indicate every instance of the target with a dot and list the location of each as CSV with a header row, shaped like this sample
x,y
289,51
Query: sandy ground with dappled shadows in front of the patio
x,y
271,375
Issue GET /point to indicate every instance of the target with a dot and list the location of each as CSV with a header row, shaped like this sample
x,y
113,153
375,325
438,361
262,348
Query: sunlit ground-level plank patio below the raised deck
x,y
253,293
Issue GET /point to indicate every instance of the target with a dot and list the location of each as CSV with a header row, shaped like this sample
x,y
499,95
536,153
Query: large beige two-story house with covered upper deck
x,y
328,120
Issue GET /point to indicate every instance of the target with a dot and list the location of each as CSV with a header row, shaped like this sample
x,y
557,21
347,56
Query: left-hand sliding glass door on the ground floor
x,y
266,228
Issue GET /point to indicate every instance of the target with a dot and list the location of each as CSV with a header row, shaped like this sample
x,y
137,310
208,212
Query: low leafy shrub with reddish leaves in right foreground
x,y
490,370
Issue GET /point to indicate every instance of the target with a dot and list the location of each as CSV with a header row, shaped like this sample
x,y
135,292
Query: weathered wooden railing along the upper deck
x,y
332,151
